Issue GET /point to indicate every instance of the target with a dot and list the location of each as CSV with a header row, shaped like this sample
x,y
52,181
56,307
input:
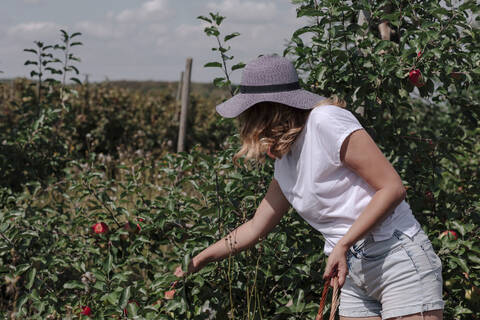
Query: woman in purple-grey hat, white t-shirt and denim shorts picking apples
x,y
331,171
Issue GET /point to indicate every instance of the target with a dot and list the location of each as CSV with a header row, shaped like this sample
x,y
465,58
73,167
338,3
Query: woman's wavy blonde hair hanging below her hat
x,y
270,126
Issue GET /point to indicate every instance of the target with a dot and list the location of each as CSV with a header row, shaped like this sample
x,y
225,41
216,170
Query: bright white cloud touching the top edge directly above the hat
x,y
245,11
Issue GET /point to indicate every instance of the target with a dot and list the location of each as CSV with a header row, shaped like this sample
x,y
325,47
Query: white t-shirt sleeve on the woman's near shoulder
x,y
333,125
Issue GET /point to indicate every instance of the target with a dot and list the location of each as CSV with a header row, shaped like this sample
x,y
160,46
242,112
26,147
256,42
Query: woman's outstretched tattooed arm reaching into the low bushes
x,y
271,209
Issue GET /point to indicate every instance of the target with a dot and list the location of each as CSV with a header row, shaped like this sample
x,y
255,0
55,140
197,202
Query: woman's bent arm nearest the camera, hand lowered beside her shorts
x,y
360,153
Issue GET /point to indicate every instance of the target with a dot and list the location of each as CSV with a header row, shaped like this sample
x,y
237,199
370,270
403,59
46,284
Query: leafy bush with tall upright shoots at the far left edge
x,y
34,142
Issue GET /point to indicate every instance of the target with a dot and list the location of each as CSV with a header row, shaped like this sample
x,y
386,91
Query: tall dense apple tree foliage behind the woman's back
x,y
429,133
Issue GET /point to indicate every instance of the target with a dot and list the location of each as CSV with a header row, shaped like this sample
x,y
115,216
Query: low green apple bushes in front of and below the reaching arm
x,y
55,255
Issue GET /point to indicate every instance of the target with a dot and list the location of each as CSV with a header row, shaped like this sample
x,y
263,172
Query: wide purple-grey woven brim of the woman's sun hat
x,y
300,99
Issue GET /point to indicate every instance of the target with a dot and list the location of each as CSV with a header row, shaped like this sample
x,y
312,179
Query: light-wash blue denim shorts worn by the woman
x,y
392,278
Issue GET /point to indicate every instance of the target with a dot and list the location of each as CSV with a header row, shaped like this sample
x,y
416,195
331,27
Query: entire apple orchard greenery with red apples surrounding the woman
x,y
97,209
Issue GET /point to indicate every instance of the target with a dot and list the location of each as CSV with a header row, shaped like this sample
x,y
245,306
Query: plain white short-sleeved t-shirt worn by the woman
x,y
326,193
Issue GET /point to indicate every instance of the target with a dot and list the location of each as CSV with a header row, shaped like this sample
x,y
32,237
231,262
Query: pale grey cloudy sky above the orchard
x,y
143,39
